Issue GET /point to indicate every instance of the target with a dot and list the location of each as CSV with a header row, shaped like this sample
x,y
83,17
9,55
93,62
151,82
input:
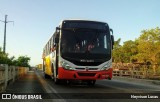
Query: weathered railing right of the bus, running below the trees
x,y
141,71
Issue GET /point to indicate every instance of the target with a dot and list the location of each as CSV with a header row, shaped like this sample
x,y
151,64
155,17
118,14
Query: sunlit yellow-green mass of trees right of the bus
x,y
143,50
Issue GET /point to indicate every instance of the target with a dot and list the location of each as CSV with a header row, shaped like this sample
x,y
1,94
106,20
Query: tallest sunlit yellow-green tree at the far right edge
x,y
149,46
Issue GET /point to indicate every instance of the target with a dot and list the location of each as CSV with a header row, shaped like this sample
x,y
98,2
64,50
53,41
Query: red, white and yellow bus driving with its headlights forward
x,y
79,50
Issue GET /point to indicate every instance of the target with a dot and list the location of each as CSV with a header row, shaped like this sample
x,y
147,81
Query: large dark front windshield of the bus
x,y
90,44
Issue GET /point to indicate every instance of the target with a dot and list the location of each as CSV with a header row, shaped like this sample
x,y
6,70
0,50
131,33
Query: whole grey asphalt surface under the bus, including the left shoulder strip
x,y
104,90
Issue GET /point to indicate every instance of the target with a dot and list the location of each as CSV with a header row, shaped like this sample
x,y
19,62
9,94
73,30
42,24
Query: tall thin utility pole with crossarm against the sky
x,y
5,26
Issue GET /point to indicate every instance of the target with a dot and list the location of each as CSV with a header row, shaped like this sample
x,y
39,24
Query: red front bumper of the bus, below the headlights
x,y
84,75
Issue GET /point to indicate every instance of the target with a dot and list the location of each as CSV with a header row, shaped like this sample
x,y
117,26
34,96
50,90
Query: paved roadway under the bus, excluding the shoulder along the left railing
x,y
102,89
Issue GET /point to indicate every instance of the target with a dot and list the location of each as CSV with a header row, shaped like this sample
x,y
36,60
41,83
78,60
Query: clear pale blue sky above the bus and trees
x,y
36,20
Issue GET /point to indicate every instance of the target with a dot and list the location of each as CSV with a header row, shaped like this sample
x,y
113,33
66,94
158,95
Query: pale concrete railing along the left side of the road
x,y
8,74
